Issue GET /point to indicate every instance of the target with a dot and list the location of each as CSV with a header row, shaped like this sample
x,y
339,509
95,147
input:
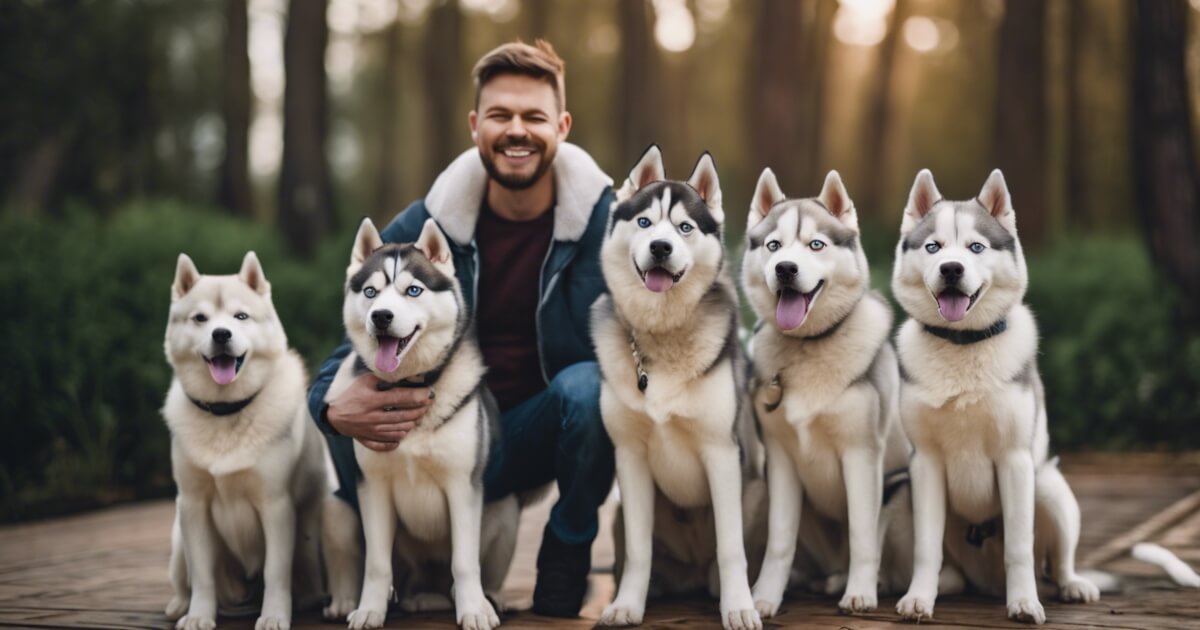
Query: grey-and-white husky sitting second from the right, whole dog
x,y
826,398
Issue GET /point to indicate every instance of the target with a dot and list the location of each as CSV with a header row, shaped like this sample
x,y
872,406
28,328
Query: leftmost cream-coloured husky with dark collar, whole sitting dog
x,y
247,458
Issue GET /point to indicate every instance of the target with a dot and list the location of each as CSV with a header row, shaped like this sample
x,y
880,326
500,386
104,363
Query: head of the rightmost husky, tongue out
x,y
959,265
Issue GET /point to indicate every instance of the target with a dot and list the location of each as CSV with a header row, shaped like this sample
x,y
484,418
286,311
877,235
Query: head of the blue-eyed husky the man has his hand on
x,y
404,309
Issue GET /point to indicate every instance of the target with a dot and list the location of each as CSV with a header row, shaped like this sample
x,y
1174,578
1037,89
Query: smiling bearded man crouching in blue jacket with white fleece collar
x,y
525,213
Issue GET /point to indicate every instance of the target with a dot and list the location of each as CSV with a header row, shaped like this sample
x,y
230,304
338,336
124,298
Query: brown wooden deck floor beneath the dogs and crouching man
x,y
109,569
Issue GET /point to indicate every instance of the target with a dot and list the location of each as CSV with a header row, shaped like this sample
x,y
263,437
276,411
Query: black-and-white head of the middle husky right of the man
x,y
664,242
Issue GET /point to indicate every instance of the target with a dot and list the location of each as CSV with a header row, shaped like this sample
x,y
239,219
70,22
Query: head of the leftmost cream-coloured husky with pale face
x,y
223,334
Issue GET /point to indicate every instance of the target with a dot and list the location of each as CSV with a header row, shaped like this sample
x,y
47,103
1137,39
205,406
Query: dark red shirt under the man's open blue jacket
x,y
511,259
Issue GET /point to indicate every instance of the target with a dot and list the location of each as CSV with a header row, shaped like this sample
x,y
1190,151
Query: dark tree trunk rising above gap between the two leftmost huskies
x,y
307,202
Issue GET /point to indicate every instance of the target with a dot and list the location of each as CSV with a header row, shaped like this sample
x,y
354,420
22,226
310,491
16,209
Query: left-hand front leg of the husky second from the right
x,y
784,507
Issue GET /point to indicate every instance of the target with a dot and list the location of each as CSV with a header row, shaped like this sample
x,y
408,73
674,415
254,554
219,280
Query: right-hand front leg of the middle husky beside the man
x,y
724,473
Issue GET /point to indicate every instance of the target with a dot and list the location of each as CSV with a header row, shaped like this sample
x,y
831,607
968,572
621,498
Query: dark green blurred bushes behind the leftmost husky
x,y
83,317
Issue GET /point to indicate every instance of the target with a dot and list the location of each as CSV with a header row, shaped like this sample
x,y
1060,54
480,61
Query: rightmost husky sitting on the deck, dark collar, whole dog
x,y
973,404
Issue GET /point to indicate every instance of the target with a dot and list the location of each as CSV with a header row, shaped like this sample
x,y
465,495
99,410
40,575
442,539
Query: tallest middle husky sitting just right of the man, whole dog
x,y
673,395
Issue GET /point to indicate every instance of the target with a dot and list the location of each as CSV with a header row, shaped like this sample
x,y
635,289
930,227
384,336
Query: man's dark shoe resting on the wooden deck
x,y
562,577
